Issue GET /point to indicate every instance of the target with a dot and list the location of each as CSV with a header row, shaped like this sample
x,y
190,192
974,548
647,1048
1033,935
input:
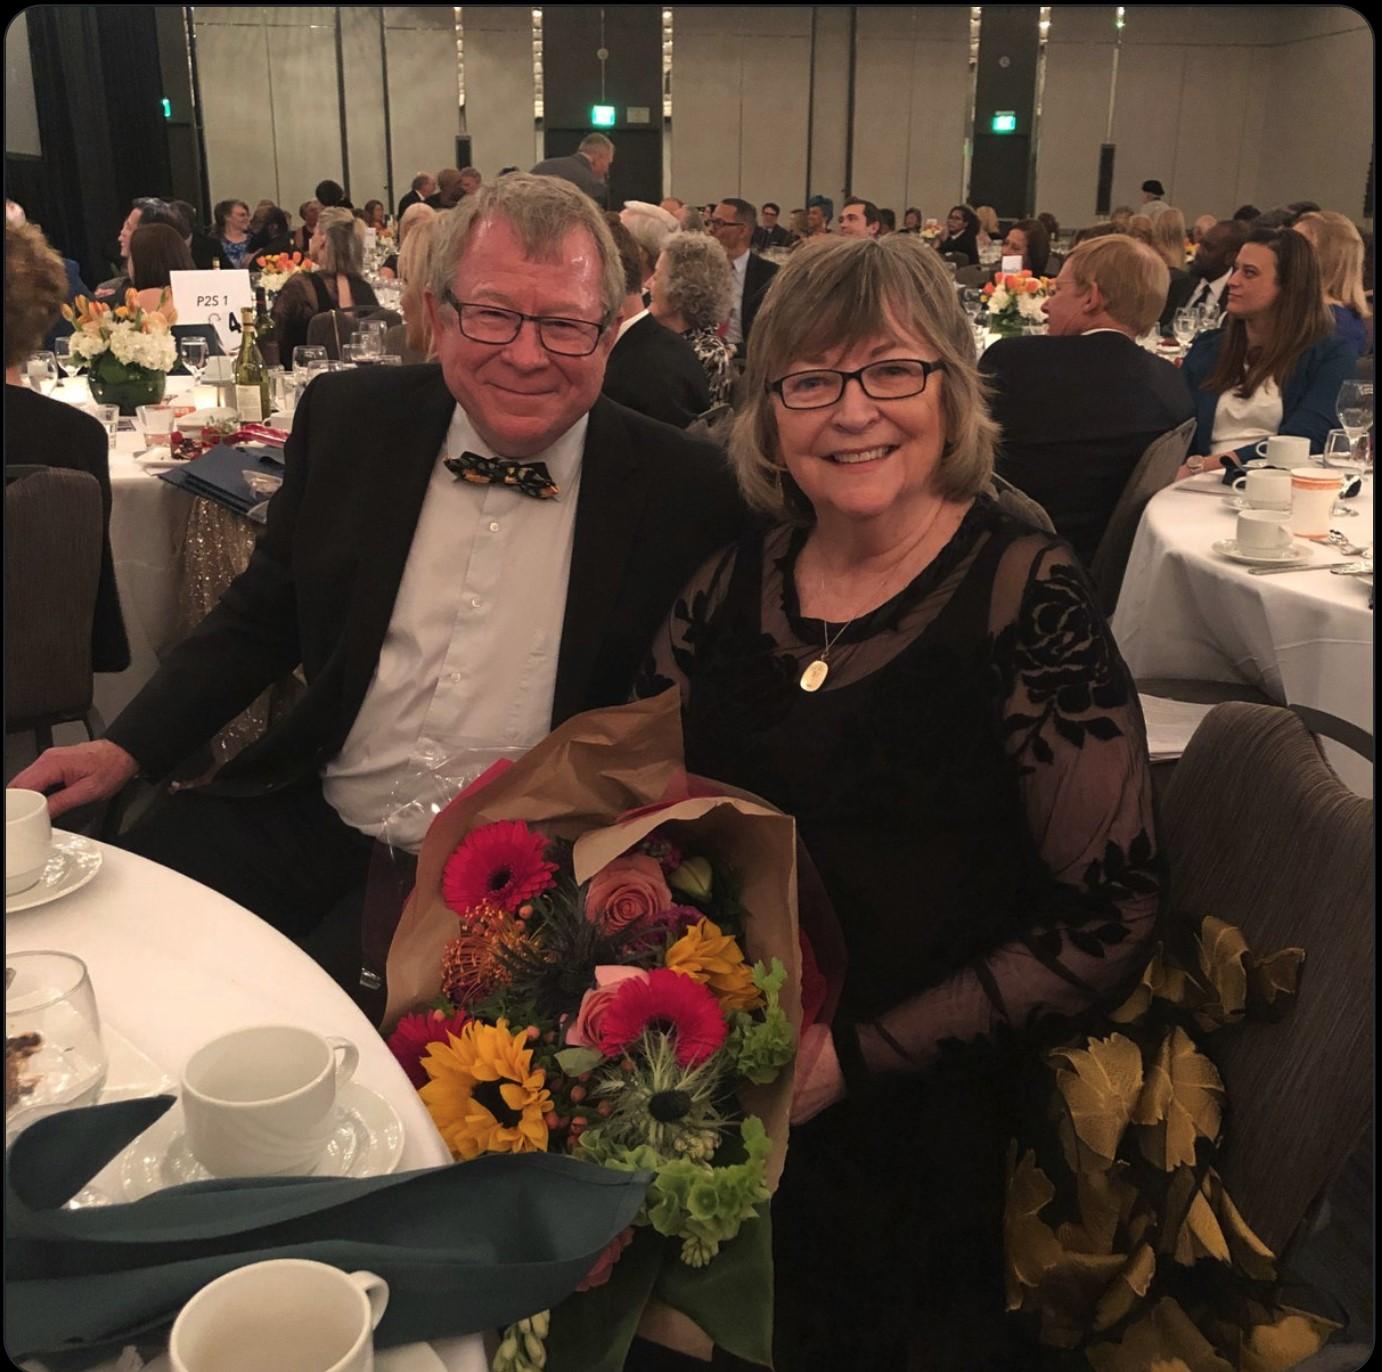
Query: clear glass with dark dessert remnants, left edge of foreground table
x,y
52,1023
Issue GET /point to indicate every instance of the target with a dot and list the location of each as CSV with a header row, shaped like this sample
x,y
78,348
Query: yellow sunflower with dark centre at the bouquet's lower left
x,y
484,1095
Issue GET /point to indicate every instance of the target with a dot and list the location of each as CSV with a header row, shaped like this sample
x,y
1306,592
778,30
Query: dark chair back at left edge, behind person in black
x,y
53,531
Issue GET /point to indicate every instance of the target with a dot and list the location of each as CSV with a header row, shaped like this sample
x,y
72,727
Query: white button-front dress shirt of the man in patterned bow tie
x,y
469,663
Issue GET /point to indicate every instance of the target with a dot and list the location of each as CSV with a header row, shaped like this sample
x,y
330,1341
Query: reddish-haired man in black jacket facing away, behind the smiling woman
x,y
1080,407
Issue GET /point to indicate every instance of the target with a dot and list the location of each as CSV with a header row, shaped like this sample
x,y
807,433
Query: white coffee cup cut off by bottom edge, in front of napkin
x,y
283,1316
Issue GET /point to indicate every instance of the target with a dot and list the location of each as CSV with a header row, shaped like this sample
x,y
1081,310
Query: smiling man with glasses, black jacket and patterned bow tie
x,y
432,603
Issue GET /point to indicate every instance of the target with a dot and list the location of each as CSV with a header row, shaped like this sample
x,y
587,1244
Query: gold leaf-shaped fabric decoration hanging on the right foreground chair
x,y
1108,1225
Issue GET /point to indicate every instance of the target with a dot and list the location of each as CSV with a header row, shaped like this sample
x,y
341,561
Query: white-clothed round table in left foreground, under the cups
x,y
175,964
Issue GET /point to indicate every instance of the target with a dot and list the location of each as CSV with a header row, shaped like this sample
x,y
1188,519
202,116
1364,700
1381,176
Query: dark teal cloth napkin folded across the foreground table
x,y
464,1248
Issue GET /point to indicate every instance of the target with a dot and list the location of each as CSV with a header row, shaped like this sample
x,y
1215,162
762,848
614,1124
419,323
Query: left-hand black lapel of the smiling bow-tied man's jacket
x,y
419,430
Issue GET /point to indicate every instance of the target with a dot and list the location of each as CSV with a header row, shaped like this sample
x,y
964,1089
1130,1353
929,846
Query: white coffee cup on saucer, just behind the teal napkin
x,y
259,1102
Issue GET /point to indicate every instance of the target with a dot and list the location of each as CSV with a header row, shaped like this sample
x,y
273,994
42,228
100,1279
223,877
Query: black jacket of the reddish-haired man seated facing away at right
x,y
1077,414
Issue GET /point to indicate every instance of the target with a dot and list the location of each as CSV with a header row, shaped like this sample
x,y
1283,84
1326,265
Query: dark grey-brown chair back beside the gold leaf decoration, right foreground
x,y
1261,834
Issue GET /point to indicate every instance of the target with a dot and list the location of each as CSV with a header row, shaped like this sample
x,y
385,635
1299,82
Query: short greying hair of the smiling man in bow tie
x,y
542,212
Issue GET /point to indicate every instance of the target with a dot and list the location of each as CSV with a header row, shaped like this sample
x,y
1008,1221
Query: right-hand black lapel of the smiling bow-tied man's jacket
x,y
614,488
